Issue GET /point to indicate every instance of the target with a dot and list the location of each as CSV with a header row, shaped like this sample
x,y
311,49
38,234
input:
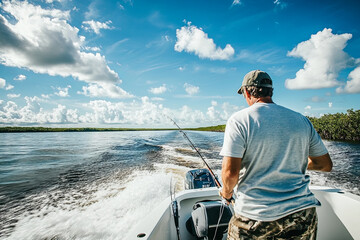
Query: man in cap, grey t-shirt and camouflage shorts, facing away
x,y
272,146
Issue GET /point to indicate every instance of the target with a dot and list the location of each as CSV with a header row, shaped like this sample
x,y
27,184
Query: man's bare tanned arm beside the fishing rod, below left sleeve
x,y
230,175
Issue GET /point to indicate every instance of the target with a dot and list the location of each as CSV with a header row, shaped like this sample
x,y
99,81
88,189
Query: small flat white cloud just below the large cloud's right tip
x,y
104,90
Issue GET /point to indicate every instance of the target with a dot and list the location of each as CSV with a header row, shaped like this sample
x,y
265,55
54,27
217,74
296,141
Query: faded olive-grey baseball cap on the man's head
x,y
256,78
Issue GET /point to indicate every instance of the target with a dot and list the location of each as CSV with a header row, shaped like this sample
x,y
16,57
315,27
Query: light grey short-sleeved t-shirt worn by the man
x,y
274,143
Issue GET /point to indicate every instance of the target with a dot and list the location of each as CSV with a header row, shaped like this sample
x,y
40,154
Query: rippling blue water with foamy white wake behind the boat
x,y
96,185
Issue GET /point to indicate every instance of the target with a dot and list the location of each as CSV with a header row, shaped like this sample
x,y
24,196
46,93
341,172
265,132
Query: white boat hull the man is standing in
x,y
338,215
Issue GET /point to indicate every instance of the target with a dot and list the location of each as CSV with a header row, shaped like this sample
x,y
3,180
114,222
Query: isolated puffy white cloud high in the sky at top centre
x,y
194,40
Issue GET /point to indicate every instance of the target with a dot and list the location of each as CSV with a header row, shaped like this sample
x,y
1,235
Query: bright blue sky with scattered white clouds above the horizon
x,y
133,63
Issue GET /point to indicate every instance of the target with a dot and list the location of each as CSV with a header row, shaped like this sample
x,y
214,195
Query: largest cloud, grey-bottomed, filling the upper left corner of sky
x,y
43,41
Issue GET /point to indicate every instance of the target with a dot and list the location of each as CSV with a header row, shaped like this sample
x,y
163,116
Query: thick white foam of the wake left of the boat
x,y
108,214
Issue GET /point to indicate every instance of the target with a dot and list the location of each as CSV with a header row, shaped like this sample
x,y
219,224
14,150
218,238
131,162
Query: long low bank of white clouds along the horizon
x,y
135,113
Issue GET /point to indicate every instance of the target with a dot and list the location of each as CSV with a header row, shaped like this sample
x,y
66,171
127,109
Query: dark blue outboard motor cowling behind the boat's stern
x,y
199,178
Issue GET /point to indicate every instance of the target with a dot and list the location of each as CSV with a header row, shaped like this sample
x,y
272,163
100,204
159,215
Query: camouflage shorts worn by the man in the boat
x,y
299,225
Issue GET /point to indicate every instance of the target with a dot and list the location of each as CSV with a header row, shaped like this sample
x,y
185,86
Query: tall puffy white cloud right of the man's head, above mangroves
x,y
324,59
